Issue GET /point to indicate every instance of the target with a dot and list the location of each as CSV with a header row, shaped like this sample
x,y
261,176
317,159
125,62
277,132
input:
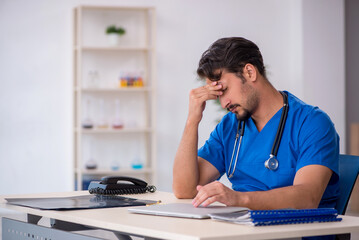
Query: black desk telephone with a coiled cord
x,y
119,185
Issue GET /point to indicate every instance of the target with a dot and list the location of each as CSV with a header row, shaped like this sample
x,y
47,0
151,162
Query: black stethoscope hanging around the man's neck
x,y
272,162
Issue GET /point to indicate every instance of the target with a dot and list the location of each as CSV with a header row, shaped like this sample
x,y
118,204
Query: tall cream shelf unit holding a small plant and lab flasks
x,y
99,98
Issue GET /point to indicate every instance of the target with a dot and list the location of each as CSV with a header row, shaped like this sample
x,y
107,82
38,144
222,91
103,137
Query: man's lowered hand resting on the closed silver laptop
x,y
215,192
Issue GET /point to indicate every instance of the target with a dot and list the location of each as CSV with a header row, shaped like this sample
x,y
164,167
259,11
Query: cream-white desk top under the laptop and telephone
x,y
120,220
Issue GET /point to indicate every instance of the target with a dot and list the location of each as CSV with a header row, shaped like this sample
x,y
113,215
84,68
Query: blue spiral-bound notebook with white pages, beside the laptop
x,y
281,216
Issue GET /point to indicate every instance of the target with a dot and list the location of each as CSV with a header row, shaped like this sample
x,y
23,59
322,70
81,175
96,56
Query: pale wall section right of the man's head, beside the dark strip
x,y
324,59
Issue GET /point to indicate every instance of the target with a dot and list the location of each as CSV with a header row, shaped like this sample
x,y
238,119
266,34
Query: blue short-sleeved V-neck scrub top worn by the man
x,y
309,137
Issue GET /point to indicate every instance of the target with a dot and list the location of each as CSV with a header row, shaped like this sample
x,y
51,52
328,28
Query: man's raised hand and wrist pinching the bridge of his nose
x,y
198,98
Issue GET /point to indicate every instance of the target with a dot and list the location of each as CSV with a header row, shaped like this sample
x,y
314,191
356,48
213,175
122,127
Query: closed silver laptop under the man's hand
x,y
184,210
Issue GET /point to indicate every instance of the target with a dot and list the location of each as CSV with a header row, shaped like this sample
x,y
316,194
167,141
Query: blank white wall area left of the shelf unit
x,y
35,96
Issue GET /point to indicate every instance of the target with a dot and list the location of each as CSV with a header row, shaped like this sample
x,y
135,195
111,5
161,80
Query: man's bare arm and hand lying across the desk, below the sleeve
x,y
308,187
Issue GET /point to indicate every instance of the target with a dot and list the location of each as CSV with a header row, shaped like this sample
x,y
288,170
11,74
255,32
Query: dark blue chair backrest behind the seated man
x,y
348,170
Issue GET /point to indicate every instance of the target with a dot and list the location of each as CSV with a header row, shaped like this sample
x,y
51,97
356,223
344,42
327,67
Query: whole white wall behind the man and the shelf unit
x,y
36,79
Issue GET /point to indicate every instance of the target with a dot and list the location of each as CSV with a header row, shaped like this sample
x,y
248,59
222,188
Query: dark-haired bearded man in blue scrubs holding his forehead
x,y
305,174
